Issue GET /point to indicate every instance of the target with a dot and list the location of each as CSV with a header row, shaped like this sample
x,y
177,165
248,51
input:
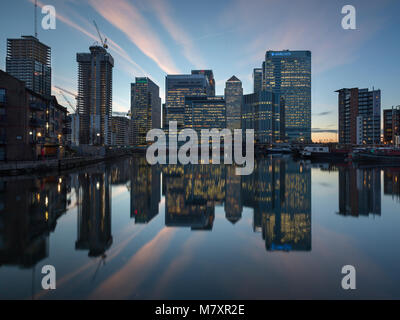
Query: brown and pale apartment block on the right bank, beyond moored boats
x,y
359,116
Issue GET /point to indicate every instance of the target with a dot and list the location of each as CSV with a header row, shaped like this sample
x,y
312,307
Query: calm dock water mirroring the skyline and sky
x,y
125,230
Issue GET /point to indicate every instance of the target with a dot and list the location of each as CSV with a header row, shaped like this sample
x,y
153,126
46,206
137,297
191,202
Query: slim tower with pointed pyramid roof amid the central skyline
x,y
234,98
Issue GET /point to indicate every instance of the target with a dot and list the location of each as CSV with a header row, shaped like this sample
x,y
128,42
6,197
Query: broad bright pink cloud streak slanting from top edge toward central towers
x,y
127,18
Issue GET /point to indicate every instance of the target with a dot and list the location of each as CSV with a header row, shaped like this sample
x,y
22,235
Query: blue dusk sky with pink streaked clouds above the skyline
x,y
158,37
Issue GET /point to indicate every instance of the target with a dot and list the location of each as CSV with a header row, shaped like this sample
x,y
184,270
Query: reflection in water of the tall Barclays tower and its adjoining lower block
x,y
279,192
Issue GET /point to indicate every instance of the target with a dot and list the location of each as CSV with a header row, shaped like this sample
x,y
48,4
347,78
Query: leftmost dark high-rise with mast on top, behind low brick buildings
x,y
29,60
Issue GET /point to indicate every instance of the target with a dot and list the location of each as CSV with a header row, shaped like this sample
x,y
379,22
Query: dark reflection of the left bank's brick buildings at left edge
x,y
29,210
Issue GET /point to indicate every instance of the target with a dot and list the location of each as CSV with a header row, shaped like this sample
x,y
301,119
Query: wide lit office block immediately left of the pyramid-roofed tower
x,y
205,113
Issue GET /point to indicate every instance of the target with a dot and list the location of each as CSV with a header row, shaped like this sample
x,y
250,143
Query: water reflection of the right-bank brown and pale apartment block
x,y
359,191
